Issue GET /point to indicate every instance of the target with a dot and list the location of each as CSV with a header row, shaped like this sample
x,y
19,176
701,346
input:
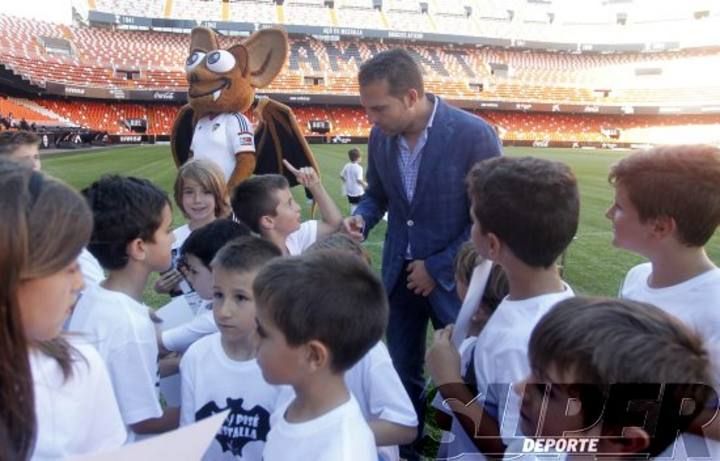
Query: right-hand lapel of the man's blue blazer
x,y
434,151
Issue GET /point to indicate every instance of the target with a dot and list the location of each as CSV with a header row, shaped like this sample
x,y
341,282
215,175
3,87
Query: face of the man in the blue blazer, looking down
x,y
391,114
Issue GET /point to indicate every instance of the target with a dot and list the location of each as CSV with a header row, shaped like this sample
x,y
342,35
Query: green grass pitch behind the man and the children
x,y
592,265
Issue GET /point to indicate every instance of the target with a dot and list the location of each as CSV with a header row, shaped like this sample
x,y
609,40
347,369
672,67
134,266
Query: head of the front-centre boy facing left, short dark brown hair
x,y
317,312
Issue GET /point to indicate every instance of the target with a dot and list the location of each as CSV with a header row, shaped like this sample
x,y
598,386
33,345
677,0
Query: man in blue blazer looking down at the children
x,y
420,150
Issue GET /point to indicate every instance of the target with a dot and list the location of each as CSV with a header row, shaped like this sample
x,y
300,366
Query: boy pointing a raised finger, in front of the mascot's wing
x,y
267,206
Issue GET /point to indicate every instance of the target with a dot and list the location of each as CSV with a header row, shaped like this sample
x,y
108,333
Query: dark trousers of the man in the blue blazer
x,y
406,338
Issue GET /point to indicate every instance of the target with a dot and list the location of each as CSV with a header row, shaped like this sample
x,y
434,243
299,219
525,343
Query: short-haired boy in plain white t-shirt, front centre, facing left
x,y
317,316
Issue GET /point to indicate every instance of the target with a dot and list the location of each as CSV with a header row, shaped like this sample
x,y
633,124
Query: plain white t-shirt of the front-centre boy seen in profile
x,y
340,434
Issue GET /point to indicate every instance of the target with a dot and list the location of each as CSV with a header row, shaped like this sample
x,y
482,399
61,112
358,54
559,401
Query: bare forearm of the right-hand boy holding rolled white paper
x,y
443,362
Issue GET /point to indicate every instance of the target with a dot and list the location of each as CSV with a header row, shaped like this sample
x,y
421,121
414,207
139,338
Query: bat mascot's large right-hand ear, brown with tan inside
x,y
267,50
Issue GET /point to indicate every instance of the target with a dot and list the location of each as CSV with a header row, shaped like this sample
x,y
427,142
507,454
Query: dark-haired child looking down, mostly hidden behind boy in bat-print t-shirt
x,y
197,253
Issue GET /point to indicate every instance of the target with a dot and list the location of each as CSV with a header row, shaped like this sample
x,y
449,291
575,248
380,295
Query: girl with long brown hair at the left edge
x,y
57,400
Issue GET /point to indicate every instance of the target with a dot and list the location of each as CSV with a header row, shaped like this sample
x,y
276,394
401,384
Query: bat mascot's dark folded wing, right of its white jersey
x,y
278,137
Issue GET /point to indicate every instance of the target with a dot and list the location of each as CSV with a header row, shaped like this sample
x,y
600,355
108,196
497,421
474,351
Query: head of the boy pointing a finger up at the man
x,y
265,203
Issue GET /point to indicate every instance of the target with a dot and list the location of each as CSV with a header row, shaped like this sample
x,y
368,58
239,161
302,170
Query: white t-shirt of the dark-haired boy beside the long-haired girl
x,y
121,330
